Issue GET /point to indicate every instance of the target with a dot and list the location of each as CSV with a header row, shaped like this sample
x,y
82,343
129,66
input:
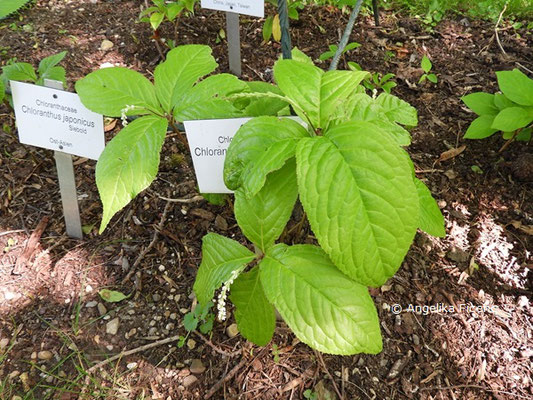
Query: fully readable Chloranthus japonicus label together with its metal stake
x,y
51,118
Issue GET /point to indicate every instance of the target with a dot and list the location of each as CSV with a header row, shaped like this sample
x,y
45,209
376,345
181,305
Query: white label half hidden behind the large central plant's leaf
x,y
209,141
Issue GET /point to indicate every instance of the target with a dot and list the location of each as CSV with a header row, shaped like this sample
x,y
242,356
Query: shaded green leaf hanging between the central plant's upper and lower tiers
x,y
263,217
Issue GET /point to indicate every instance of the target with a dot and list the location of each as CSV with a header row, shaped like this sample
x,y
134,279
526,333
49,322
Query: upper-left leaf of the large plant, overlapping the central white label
x,y
260,146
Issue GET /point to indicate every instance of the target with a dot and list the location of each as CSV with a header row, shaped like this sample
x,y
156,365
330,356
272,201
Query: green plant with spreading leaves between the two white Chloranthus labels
x,y
130,160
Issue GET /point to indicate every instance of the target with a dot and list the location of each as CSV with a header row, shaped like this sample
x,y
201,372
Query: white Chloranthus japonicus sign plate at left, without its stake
x,y
56,120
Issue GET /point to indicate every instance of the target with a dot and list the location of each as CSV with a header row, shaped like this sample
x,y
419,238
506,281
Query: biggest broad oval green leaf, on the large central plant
x,y
357,189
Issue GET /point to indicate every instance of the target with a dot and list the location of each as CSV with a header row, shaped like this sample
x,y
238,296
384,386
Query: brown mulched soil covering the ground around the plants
x,y
485,260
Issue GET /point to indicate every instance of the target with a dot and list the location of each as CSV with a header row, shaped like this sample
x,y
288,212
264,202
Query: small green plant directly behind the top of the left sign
x,y
21,71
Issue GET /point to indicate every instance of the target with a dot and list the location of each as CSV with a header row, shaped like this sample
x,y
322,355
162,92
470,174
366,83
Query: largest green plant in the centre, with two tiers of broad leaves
x,y
358,189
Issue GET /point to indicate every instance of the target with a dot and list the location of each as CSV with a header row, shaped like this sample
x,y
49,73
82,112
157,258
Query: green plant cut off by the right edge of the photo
x,y
510,111
